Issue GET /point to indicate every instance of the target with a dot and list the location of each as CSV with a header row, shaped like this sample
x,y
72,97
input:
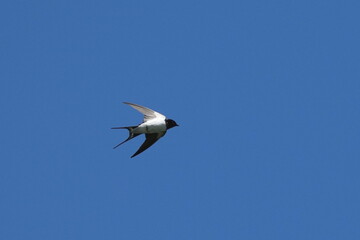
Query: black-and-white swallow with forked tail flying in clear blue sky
x,y
154,126
